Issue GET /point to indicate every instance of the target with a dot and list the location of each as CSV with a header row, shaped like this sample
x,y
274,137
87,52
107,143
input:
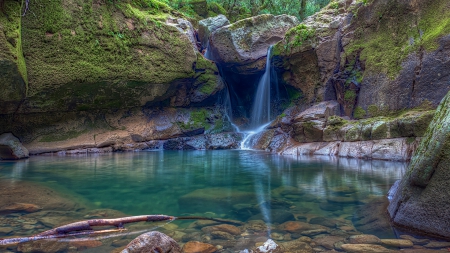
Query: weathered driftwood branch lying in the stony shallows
x,y
83,228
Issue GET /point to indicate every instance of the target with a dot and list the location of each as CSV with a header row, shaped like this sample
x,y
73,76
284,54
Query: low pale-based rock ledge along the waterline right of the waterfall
x,y
319,131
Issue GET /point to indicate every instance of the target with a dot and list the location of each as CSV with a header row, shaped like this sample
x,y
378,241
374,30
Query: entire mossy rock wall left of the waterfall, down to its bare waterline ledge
x,y
95,68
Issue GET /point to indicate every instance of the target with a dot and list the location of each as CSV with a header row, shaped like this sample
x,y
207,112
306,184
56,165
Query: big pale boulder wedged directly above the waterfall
x,y
243,45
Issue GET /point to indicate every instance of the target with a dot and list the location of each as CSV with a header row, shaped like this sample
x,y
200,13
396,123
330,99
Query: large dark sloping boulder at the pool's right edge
x,y
420,200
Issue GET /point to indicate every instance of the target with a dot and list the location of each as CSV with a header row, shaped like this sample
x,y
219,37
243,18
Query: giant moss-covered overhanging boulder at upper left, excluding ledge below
x,y
90,55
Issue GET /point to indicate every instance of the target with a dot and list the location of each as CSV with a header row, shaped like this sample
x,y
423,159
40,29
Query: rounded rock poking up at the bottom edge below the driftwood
x,y
152,242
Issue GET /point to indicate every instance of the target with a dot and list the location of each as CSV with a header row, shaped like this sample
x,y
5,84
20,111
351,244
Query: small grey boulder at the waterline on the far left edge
x,y
11,147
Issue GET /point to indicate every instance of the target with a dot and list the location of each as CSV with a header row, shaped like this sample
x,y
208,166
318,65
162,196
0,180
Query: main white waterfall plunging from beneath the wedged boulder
x,y
260,113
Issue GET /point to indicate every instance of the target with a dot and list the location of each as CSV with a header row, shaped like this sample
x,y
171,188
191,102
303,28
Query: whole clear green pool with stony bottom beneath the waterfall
x,y
305,204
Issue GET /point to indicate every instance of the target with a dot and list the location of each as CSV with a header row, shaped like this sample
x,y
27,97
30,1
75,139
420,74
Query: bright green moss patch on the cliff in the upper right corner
x,y
384,47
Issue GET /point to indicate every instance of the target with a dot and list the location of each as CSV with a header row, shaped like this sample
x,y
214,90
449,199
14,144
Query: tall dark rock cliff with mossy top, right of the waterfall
x,y
376,55
